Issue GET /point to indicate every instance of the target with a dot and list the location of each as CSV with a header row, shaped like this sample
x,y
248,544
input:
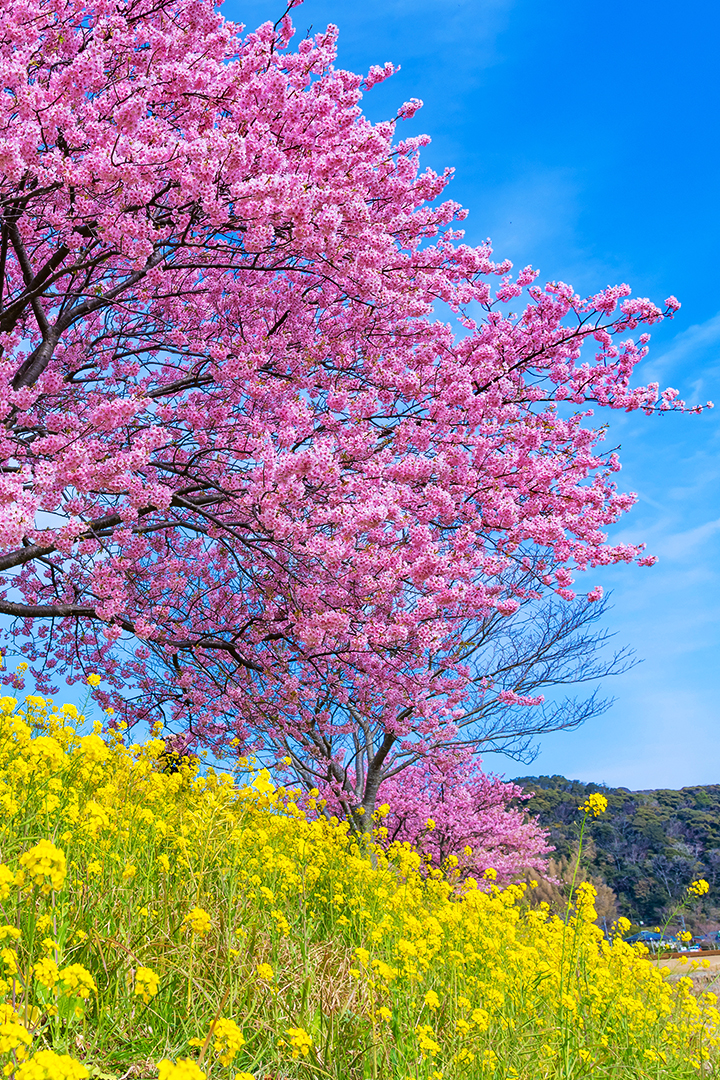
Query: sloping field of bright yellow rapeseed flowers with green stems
x,y
158,923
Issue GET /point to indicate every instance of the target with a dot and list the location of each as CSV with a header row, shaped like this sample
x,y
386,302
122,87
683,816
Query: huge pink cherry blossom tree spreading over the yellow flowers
x,y
277,443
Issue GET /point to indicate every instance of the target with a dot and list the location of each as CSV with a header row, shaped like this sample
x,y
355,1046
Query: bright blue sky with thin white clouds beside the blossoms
x,y
586,142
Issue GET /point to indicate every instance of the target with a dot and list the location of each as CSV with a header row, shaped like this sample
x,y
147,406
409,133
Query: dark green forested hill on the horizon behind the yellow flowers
x,y
647,848
